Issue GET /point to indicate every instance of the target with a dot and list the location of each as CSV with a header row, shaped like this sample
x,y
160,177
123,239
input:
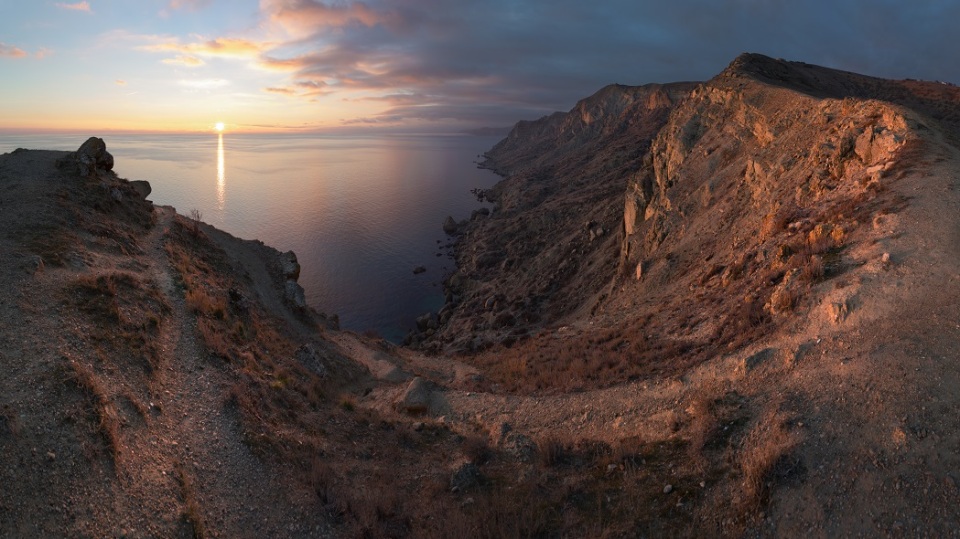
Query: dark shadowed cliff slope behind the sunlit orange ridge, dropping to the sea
x,y
550,244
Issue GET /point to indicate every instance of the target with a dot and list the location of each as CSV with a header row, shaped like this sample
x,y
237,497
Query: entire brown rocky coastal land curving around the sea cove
x,y
722,309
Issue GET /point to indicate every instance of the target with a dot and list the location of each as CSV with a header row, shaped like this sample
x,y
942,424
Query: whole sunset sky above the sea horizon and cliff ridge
x,y
415,65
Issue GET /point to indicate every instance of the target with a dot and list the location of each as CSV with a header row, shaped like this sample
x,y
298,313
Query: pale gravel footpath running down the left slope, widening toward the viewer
x,y
192,443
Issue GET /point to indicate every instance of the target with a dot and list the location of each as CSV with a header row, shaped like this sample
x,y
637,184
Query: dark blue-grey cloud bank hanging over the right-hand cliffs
x,y
498,61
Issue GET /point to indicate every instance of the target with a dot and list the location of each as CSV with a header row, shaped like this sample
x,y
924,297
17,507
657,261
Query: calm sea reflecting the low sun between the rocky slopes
x,y
360,212
